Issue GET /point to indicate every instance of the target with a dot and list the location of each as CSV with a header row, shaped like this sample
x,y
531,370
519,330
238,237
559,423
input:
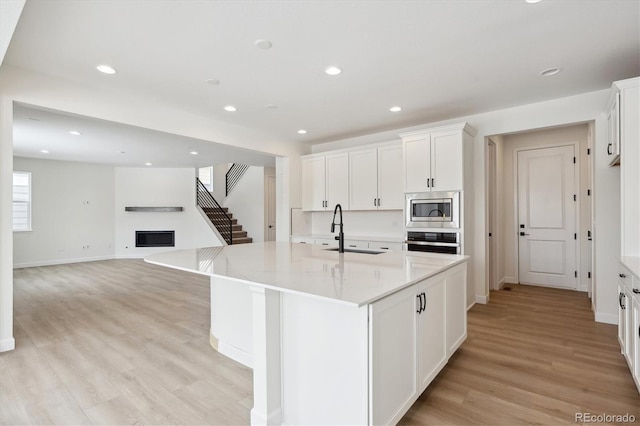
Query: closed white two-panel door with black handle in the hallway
x,y
547,217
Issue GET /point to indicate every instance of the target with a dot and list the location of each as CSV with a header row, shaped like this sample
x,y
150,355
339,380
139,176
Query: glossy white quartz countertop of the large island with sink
x,y
312,270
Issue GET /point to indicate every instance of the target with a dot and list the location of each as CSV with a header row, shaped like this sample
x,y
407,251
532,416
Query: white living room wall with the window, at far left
x,y
72,216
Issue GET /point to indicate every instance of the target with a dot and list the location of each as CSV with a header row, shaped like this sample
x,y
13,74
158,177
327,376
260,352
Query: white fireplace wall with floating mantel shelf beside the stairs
x,y
157,187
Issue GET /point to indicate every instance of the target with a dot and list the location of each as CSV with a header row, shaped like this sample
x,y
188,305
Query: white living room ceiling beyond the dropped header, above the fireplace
x,y
104,142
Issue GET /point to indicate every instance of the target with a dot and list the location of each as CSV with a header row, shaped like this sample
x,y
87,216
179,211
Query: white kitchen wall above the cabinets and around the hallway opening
x,y
570,110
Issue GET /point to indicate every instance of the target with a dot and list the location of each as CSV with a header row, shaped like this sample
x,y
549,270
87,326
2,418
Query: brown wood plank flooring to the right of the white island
x,y
533,355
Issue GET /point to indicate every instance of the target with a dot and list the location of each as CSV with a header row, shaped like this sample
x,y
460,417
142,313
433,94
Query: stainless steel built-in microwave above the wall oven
x,y
432,210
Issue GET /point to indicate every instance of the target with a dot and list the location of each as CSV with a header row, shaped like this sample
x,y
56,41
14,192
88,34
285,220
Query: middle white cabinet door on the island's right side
x,y
432,352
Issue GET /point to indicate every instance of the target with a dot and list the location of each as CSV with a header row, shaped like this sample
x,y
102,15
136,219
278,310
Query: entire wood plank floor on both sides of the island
x,y
125,342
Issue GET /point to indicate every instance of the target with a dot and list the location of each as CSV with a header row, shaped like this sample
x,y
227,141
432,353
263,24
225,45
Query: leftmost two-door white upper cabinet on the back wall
x,y
325,182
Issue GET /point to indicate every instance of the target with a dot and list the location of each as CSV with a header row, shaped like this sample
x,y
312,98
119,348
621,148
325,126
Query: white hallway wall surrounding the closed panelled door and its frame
x,y
508,247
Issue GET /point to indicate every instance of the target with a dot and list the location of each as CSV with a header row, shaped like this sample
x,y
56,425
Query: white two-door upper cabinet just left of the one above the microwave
x,y
376,178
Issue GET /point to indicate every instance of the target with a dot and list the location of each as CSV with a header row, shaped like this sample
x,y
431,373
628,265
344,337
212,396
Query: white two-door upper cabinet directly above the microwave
x,y
433,160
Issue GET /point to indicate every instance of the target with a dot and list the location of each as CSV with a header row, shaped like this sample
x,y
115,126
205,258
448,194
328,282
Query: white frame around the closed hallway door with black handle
x,y
576,189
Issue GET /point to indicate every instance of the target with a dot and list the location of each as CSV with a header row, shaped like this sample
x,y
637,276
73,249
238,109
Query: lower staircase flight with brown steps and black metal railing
x,y
220,217
